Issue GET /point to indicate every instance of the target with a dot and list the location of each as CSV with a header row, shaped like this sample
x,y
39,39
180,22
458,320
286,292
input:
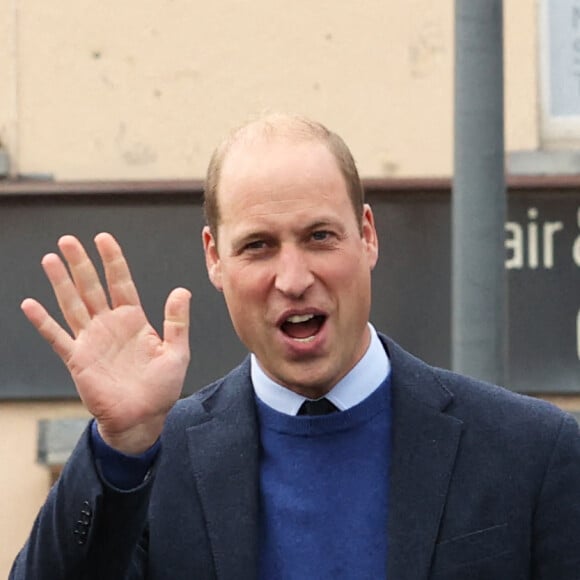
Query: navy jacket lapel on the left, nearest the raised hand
x,y
226,434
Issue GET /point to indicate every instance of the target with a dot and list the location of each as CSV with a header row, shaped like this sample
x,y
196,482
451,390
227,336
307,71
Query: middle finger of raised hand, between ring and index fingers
x,y
84,275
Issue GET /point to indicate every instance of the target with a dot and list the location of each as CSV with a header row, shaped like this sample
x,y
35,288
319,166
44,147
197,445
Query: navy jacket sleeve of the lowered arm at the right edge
x,y
556,533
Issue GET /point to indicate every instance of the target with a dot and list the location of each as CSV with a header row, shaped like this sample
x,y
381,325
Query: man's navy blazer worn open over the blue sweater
x,y
484,484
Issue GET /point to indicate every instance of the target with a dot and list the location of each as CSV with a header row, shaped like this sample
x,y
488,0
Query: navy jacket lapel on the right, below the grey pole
x,y
424,446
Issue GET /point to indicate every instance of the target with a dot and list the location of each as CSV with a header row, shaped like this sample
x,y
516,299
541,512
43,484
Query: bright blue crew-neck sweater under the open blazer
x,y
324,489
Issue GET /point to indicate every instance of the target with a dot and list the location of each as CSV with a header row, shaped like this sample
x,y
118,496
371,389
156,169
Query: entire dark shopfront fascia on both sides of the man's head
x,y
160,231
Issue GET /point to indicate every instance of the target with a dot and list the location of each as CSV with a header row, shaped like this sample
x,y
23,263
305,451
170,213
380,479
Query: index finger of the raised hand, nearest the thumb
x,y
122,289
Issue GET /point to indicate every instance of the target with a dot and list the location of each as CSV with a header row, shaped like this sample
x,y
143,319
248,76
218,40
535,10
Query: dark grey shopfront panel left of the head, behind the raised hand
x,y
161,239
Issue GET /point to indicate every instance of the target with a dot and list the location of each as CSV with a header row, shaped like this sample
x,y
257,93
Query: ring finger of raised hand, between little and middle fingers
x,y
71,305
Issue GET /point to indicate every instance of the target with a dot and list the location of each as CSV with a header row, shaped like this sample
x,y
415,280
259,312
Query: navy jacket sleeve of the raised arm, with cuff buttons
x,y
87,530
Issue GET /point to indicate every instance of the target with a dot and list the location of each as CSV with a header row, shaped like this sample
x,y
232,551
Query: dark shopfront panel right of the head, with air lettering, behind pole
x,y
412,283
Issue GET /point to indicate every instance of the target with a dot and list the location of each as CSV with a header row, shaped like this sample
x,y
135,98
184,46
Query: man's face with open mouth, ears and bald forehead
x,y
292,262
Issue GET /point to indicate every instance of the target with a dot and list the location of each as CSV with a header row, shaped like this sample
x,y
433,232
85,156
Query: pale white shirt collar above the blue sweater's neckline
x,y
357,385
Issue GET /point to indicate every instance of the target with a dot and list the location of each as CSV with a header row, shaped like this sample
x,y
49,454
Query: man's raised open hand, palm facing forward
x,y
126,374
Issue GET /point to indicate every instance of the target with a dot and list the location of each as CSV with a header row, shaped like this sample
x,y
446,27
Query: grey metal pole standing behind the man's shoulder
x,y
479,282
